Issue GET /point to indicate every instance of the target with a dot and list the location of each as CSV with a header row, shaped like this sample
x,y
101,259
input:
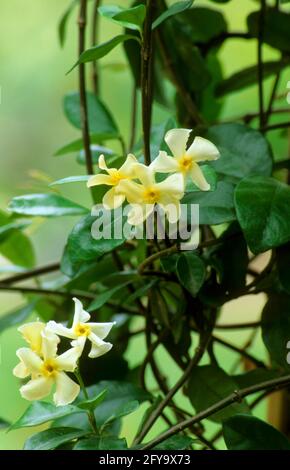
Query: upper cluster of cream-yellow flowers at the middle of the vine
x,y
137,184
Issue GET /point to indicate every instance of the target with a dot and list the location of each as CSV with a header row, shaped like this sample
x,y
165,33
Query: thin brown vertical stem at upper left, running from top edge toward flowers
x,y
82,89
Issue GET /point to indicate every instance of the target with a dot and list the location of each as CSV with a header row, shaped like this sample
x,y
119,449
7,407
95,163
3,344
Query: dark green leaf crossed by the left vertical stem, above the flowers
x,y
101,122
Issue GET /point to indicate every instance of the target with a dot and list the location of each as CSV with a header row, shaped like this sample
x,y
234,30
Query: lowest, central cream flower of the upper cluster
x,y
144,195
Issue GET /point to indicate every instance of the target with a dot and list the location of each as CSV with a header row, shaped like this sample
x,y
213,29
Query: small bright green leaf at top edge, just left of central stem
x,y
131,18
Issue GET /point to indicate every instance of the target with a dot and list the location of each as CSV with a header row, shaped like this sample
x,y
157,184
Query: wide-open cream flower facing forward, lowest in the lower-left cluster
x,y
48,370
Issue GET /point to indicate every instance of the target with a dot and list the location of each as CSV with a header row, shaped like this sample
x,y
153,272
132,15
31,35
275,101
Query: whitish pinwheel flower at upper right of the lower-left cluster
x,y
81,330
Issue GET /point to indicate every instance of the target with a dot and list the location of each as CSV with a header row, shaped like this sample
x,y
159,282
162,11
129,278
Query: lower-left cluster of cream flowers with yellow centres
x,y
45,368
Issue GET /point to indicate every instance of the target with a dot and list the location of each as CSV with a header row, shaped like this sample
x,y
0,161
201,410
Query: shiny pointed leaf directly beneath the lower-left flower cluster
x,y
40,412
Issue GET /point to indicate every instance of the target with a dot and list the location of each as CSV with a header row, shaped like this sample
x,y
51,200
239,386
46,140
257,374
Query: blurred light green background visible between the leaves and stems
x,y
33,127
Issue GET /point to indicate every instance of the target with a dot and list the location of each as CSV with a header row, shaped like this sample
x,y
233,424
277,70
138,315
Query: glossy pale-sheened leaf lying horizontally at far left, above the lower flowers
x,y
45,205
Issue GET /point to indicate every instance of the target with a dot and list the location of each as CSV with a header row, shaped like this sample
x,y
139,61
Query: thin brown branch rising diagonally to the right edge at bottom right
x,y
236,396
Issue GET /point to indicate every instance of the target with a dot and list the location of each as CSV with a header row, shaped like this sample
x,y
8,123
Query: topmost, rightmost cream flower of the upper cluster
x,y
185,161
